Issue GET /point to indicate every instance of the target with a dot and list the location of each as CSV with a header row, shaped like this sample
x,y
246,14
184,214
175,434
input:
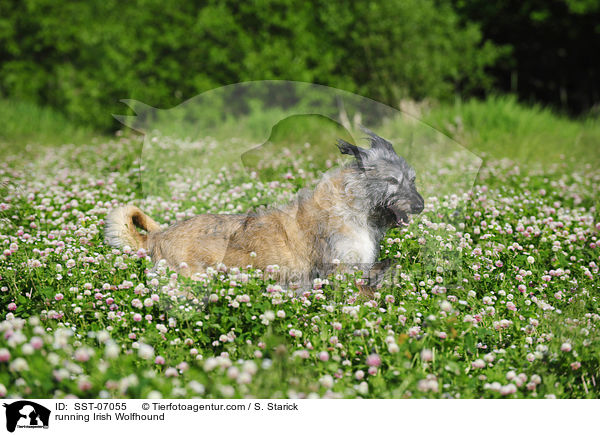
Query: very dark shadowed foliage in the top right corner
x,y
552,46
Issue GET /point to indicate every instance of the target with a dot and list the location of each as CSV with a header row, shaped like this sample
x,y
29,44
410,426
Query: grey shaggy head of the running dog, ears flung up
x,y
389,181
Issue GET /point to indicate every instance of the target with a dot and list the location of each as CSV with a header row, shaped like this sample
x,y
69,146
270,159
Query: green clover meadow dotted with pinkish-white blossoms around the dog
x,y
510,309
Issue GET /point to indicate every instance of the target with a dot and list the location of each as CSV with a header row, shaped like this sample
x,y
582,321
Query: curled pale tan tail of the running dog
x,y
121,226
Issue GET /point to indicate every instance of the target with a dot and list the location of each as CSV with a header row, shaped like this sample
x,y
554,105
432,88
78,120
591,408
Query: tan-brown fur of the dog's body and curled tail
x,y
287,237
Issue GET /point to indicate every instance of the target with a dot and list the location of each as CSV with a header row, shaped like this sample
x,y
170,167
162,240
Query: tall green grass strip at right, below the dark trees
x,y
504,128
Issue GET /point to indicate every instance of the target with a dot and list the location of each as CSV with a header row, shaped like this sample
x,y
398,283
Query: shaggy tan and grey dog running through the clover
x,y
339,224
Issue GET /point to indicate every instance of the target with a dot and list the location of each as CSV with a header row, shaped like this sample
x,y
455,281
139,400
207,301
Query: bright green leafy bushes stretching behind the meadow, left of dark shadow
x,y
83,57
